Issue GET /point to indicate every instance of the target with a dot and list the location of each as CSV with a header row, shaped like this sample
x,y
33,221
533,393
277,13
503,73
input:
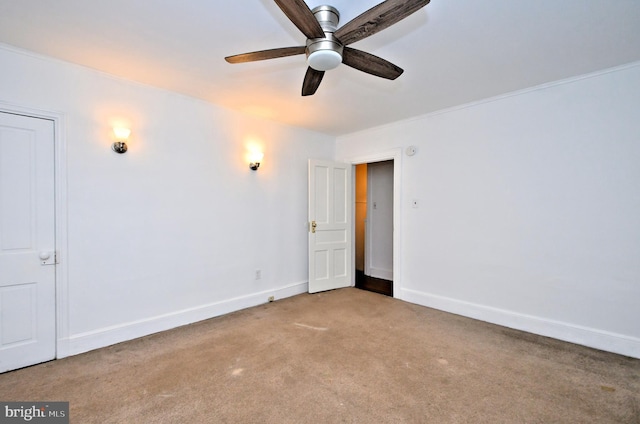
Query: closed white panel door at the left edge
x,y
27,241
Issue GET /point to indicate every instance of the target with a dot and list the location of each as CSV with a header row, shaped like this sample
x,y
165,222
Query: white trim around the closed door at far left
x,y
60,212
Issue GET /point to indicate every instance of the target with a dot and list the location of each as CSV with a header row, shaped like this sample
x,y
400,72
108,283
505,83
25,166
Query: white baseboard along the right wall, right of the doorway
x,y
598,339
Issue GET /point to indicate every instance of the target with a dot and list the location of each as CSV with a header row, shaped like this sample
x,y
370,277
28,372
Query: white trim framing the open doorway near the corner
x,y
396,156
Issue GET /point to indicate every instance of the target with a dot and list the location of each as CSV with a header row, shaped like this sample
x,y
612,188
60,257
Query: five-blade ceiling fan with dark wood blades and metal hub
x,y
326,45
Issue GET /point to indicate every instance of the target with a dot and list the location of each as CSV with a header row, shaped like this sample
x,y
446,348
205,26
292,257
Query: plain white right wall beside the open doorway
x,y
529,209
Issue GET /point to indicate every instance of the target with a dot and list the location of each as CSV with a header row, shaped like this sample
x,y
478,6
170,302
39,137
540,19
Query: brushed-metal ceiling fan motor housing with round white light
x,y
325,53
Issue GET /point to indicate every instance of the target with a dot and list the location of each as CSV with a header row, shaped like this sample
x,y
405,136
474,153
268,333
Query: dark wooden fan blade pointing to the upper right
x,y
377,18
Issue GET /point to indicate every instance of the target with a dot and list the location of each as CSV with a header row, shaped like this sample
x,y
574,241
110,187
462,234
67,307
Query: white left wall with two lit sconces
x,y
174,230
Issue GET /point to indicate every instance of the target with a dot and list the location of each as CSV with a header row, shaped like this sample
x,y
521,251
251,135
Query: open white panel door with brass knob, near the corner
x,y
330,255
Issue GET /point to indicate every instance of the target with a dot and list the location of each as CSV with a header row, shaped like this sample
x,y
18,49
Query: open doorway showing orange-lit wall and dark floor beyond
x,y
374,208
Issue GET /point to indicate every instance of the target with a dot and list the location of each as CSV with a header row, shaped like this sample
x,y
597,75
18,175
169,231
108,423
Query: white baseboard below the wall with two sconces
x,y
84,342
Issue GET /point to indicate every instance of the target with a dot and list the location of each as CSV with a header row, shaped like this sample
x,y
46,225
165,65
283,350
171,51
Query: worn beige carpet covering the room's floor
x,y
346,356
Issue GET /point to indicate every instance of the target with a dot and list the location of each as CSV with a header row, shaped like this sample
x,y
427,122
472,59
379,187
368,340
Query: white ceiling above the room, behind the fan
x,y
453,51
